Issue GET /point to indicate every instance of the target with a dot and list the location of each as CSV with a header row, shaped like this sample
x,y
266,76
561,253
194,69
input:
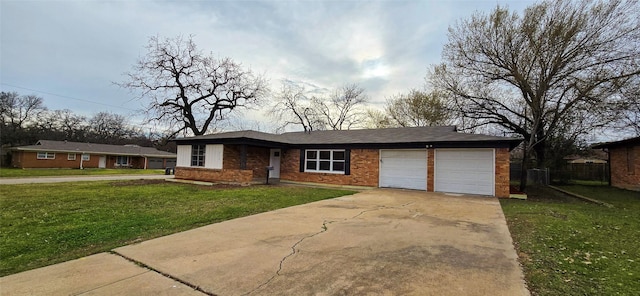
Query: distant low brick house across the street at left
x,y
63,154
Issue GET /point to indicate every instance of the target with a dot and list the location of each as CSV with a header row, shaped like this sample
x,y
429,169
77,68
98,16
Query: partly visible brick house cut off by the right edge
x,y
624,162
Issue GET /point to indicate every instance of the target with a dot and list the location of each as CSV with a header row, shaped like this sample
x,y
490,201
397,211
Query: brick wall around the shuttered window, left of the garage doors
x,y
364,169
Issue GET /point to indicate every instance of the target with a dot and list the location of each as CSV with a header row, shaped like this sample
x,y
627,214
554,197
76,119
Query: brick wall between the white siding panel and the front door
x,y
257,159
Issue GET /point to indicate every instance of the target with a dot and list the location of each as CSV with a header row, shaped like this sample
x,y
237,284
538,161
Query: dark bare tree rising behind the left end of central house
x,y
188,89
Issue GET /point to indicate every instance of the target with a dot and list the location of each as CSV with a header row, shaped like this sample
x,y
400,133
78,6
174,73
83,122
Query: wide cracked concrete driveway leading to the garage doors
x,y
377,242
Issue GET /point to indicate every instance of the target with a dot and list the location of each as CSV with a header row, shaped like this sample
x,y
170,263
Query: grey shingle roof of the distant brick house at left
x,y
78,147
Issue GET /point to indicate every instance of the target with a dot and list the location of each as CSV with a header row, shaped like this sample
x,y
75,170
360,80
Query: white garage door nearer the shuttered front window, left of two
x,y
403,169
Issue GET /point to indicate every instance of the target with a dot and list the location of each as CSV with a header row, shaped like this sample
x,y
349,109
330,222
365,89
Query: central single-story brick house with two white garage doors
x,y
423,158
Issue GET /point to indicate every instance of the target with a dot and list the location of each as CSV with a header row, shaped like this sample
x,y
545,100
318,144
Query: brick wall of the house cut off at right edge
x,y
621,177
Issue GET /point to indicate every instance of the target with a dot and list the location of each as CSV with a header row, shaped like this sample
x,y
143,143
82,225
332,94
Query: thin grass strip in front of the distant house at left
x,y
25,173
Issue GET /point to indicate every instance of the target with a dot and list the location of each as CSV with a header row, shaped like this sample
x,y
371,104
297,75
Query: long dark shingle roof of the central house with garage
x,y
388,136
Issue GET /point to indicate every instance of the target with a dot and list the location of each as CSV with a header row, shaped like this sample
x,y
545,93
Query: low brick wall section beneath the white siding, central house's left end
x,y
213,175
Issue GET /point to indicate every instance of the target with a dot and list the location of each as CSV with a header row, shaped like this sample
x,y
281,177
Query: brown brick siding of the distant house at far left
x,y
26,159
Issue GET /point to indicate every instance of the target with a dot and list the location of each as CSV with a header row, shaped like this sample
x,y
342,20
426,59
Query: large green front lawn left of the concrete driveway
x,y
50,223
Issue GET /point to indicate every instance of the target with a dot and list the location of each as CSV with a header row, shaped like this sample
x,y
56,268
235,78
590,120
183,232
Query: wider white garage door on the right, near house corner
x,y
465,171
